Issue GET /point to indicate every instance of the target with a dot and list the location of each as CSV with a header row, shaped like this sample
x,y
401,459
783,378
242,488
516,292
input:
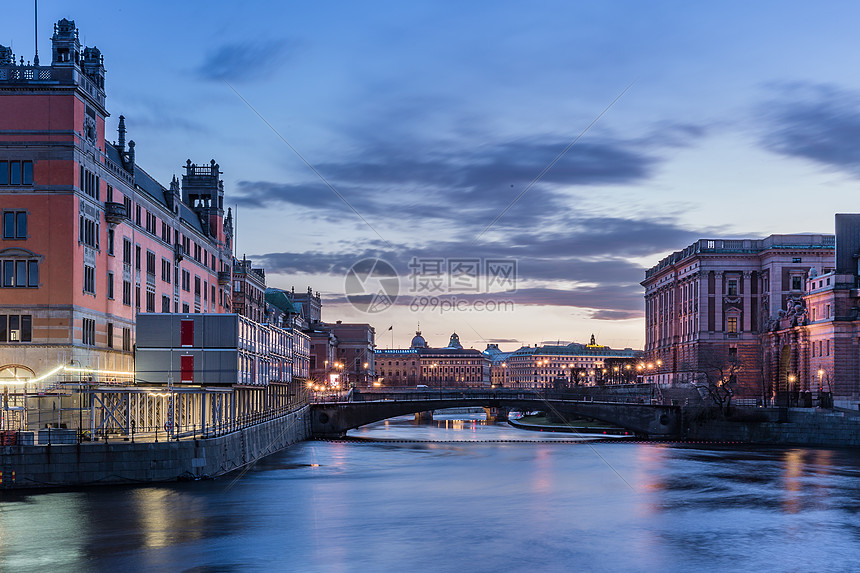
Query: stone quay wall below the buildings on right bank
x,y
802,427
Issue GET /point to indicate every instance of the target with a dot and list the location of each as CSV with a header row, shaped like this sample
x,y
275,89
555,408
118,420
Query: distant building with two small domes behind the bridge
x,y
451,366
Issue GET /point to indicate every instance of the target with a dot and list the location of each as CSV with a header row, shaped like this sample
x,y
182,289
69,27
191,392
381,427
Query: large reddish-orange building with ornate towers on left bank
x,y
89,240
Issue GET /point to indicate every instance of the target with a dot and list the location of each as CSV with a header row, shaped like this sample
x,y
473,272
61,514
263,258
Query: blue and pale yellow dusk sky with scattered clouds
x,y
514,166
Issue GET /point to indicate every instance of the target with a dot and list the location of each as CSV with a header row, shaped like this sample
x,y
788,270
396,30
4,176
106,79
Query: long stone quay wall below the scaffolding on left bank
x,y
118,462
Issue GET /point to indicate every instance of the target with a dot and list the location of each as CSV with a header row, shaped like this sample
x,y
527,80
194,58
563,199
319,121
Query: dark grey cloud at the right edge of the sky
x,y
817,122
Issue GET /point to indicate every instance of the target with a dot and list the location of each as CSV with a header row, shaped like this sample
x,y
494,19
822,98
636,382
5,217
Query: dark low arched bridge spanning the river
x,y
358,408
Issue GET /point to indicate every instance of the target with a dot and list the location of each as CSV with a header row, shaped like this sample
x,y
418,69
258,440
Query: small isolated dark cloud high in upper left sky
x,y
243,61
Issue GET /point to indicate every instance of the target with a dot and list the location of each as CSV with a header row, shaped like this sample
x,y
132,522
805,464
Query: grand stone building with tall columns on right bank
x,y
714,301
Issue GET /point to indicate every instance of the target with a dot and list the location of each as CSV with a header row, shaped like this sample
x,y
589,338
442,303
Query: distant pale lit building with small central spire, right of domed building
x,y
552,366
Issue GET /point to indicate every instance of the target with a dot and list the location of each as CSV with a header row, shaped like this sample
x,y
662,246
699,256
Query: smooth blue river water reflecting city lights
x,y
462,496
